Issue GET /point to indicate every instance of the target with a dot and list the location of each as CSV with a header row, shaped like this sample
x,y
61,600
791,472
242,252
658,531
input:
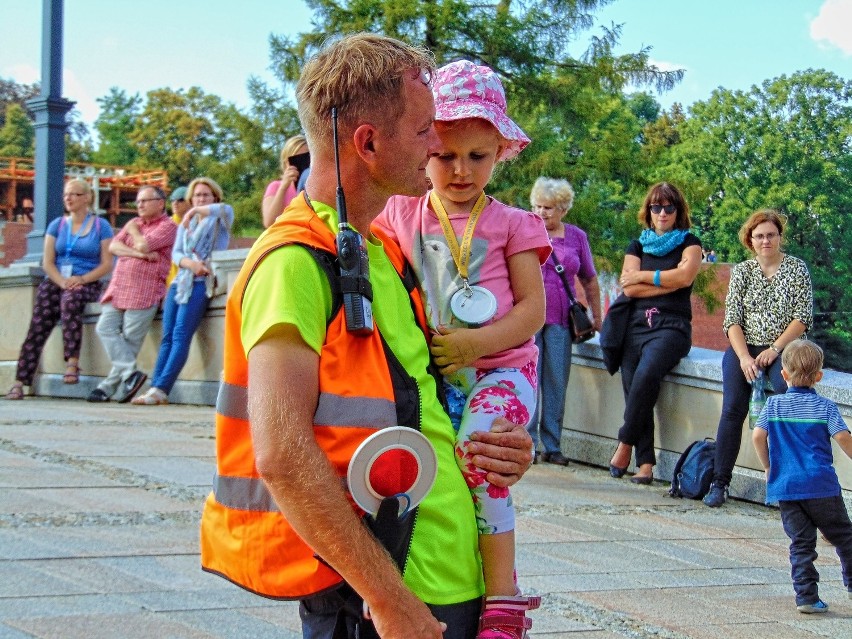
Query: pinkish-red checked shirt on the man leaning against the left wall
x,y
138,283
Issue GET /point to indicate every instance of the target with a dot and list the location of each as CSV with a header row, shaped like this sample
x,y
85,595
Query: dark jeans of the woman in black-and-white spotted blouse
x,y
736,392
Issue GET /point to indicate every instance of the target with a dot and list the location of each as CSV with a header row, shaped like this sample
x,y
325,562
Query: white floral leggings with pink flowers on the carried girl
x,y
476,397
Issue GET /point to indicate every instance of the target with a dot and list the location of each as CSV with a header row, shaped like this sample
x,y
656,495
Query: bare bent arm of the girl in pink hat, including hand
x,y
453,349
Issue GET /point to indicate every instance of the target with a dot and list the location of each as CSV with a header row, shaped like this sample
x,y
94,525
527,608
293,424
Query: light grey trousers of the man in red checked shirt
x,y
121,332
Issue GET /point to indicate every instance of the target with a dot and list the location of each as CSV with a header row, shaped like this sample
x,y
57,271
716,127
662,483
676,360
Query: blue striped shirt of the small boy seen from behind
x,y
800,425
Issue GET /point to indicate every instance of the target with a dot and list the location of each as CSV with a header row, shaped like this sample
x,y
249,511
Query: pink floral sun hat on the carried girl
x,y
464,90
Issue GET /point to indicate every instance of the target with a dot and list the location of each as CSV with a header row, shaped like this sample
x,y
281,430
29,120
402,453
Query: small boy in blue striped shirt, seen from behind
x,y
793,441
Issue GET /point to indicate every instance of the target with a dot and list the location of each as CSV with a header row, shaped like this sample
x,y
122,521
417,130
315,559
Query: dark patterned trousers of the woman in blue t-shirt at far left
x,y
52,306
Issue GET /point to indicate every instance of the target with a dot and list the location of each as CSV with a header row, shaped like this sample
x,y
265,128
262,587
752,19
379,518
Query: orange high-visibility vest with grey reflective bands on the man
x,y
244,537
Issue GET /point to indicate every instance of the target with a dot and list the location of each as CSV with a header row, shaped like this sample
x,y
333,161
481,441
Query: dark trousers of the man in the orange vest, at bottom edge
x,y
319,616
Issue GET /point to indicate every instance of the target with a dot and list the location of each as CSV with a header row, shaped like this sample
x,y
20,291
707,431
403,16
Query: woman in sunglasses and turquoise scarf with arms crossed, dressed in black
x,y
657,275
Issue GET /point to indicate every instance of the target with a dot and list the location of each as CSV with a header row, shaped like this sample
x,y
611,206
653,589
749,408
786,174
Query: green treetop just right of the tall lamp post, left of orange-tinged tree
x,y
117,119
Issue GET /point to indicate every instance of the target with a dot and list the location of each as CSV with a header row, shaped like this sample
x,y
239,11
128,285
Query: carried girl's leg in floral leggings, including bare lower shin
x,y
508,393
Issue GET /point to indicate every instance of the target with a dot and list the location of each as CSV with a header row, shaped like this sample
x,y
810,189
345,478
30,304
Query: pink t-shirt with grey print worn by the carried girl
x,y
501,231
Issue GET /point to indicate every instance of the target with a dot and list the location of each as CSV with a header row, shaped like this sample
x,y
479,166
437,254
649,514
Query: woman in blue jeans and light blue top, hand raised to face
x,y
205,228
